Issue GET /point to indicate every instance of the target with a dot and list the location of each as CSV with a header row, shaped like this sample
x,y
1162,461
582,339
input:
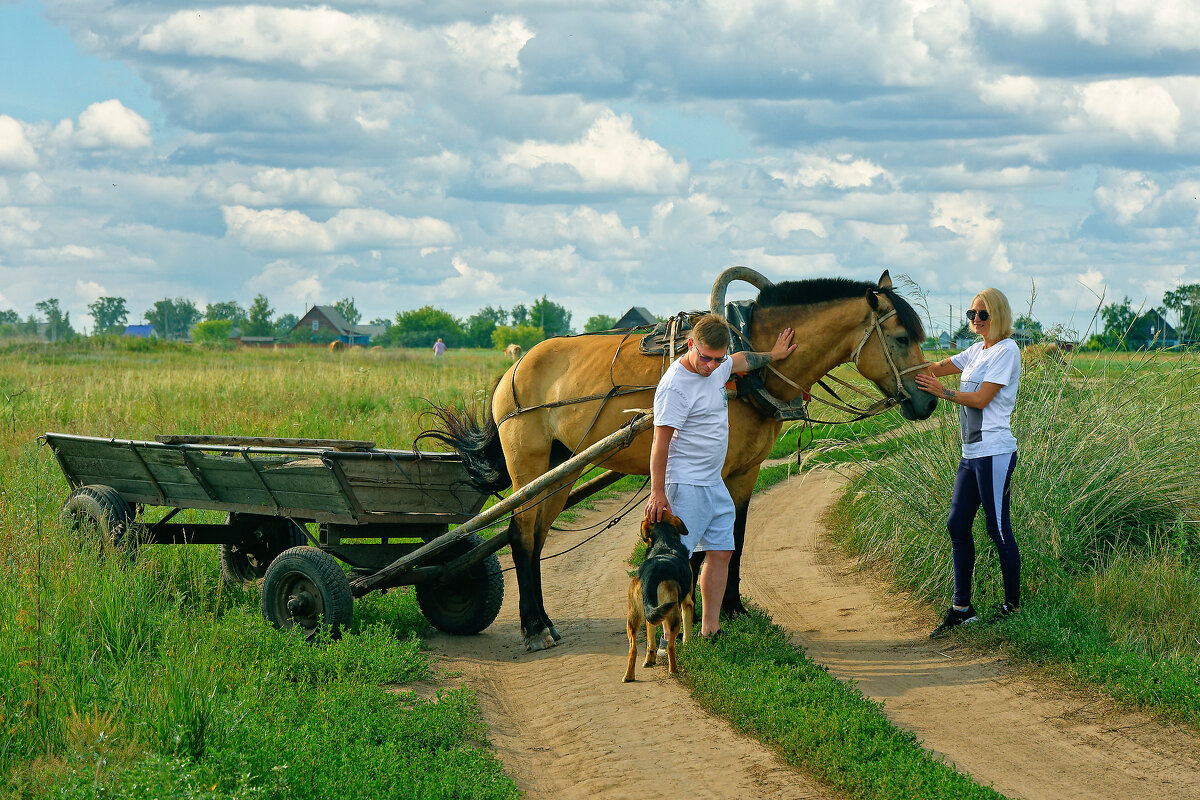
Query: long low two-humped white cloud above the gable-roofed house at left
x,y
284,231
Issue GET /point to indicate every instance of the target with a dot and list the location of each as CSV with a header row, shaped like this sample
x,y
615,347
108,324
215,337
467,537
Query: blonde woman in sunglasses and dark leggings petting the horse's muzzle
x,y
992,371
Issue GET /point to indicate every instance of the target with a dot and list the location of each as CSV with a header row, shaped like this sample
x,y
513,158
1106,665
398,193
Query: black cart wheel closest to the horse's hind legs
x,y
471,600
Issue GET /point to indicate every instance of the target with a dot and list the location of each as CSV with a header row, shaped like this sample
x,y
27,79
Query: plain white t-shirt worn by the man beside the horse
x,y
697,407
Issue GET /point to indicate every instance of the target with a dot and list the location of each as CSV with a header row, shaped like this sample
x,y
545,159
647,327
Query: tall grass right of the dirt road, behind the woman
x,y
1106,508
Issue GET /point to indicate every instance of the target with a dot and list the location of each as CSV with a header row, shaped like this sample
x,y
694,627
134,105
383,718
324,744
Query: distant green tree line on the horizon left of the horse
x,y
178,318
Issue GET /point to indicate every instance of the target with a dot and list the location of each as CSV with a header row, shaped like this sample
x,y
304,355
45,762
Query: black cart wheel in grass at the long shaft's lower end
x,y
305,587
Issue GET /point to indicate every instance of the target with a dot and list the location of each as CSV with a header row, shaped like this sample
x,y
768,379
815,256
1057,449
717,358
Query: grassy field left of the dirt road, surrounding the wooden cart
x,y
154,679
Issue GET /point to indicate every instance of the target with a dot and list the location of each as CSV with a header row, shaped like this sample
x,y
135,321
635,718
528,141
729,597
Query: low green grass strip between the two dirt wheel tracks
x,y
771,690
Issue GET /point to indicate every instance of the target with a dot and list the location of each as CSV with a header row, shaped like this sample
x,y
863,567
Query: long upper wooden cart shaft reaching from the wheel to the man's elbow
x,y
397,570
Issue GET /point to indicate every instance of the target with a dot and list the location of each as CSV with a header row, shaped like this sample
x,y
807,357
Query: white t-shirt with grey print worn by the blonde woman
x,y
988,431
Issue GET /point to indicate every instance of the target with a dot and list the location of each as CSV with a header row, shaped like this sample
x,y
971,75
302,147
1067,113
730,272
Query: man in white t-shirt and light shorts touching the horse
x,y
692,435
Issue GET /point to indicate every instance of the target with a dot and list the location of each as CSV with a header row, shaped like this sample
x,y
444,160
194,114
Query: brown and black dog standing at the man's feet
x,y
662,592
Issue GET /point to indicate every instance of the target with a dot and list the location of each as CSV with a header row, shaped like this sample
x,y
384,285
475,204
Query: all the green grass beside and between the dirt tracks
x,y
155,679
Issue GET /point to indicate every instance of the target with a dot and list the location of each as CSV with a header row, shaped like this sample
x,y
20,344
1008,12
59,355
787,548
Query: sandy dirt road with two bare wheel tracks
x,y
566,727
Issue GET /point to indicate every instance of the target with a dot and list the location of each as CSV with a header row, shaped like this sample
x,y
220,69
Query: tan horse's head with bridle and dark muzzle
x,y
889,354
